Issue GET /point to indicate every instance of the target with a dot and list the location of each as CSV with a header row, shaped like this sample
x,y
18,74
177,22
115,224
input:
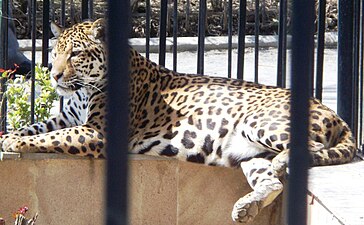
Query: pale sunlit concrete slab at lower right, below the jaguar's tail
x,y
336,195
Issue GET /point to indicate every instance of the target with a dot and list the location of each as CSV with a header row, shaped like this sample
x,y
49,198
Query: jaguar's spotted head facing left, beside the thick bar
x,y
79,57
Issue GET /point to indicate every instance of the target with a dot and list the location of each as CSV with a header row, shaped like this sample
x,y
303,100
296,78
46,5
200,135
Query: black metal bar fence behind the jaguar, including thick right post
x,y
350,51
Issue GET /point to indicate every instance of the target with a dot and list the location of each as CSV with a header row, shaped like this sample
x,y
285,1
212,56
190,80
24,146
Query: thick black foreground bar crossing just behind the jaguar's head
x,y
117,117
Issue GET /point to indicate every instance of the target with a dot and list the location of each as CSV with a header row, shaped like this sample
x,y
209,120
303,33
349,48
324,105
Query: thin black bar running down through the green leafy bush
x,y
34,36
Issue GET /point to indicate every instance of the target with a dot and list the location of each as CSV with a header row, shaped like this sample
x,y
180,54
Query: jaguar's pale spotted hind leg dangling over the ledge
x,y
266,187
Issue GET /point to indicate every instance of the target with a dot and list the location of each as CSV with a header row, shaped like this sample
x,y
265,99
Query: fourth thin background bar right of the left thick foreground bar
x,y
201,37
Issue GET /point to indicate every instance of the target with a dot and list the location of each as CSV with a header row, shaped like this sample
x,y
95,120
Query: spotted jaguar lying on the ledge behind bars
x,y
214,121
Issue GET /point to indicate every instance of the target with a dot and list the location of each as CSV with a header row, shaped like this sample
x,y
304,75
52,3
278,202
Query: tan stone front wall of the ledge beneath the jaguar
x,y
69,191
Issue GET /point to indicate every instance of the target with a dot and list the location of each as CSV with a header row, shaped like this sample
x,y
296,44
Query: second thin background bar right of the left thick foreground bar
x,y
162,32
